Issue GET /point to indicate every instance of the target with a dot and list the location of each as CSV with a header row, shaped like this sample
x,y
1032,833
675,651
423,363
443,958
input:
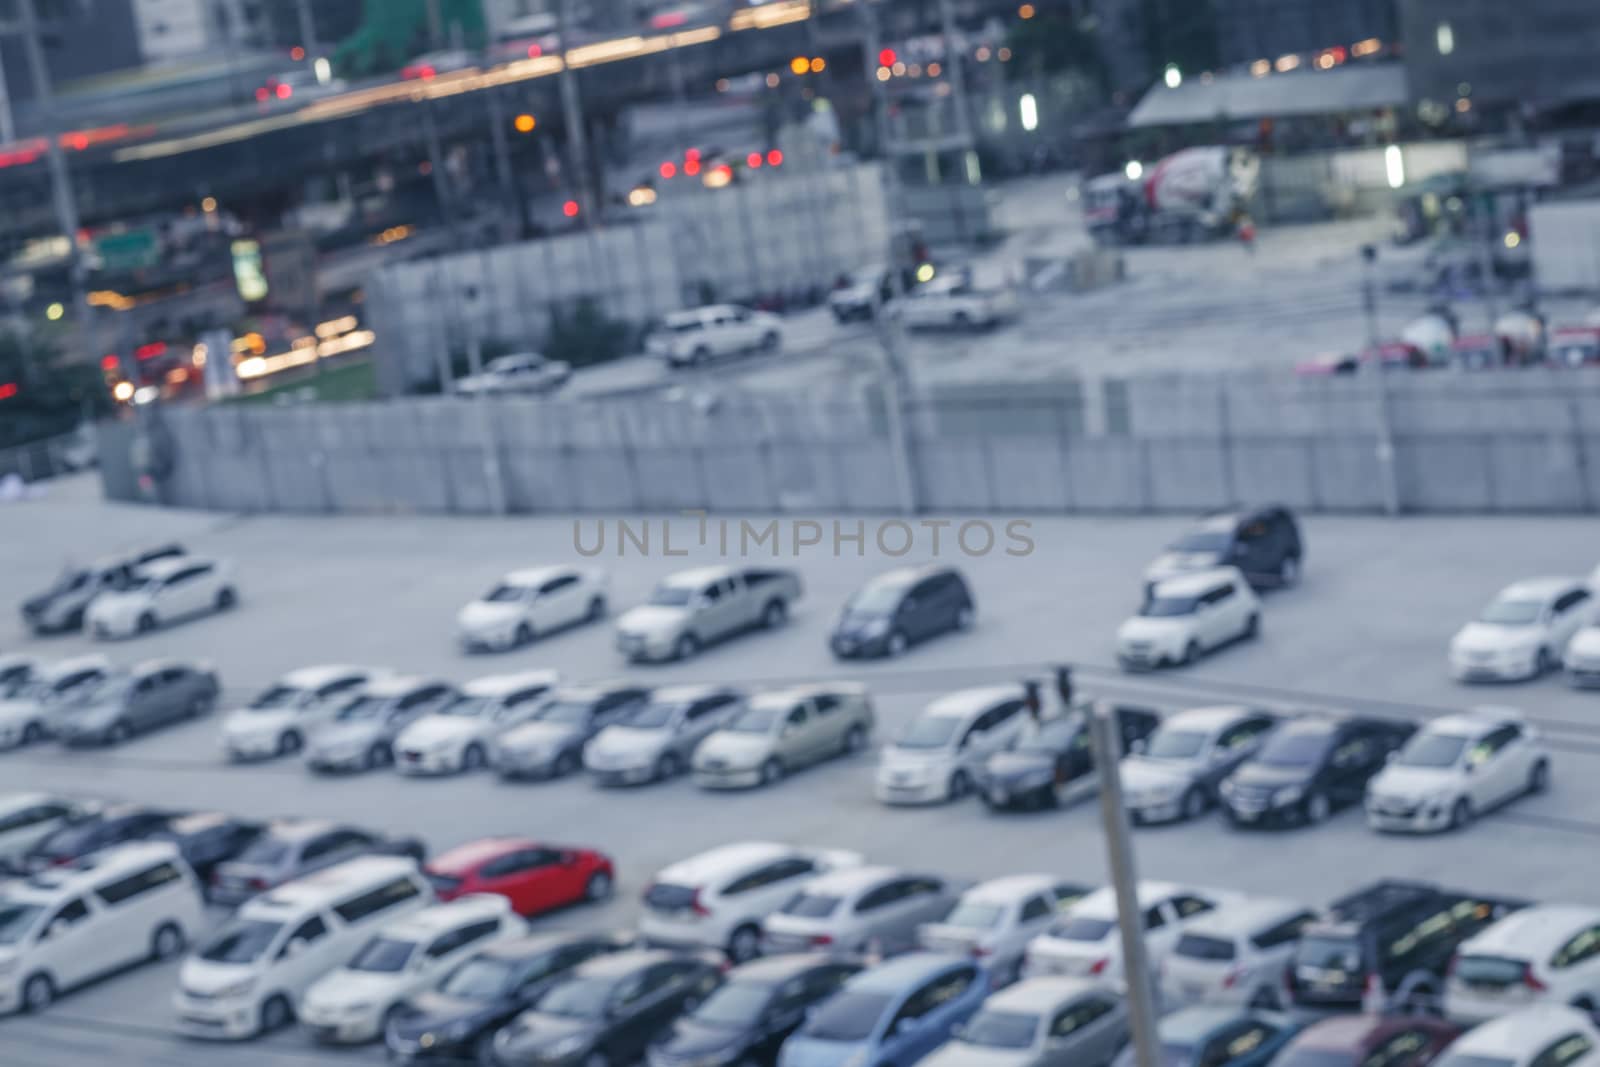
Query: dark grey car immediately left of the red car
x,y
294,849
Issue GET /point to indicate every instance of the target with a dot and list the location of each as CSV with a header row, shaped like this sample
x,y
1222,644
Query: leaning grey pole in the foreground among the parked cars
x,y
1126,882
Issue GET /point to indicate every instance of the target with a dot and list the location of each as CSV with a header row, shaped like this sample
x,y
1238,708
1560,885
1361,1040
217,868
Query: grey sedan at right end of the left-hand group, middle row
x,y
156,693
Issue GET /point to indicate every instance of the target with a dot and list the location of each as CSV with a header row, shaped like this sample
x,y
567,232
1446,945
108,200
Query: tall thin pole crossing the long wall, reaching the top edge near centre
x,y
890,329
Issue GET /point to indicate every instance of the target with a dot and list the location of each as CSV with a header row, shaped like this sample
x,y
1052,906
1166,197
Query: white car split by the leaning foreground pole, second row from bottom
x,y
1086,941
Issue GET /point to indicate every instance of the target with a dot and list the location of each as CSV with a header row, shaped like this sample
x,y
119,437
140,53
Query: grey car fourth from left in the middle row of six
x,y
551,743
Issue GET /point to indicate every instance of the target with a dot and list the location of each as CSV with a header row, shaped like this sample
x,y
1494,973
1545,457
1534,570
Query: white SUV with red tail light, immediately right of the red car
x,y
722,898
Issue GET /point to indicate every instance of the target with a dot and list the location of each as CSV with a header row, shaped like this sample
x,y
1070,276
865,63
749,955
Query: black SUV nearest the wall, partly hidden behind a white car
x,y
1263,543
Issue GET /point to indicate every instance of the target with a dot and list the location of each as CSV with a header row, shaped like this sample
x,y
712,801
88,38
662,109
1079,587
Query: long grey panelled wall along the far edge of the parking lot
x,y
1506,442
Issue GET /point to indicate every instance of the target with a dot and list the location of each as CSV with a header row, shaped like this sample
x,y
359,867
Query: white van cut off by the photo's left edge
x,y
74,924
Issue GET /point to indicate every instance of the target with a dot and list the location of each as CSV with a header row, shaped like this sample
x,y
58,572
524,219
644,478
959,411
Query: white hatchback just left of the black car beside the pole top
x,y
942,754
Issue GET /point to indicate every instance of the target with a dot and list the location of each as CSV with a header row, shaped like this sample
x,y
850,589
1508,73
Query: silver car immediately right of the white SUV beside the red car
x,y
873,911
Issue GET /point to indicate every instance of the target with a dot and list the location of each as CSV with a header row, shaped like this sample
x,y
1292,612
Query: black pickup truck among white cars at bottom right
x,y
1386,948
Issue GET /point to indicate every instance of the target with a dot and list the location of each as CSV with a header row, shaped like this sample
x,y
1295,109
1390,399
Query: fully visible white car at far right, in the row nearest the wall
x,y
1522,633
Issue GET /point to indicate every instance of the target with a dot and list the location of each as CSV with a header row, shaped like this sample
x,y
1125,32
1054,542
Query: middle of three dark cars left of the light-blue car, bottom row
x,y
610,1010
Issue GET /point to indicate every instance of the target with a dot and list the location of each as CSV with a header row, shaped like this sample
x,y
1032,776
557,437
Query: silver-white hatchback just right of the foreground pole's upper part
x,y
1177,773
